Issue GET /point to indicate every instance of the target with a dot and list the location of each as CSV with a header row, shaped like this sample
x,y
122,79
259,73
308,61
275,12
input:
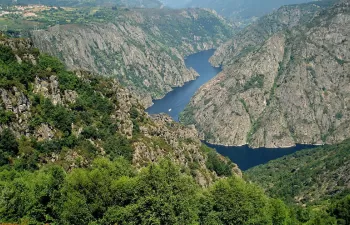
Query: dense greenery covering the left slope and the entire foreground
x,y
40,182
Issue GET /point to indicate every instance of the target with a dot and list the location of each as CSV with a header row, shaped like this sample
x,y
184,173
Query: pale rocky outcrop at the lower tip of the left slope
x,y
165,134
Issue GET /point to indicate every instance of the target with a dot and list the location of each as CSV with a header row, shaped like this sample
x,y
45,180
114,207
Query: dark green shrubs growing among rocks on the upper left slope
x,y
91,111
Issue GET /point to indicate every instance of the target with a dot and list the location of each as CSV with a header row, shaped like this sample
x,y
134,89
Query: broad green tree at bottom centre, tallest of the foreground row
x,y
161,194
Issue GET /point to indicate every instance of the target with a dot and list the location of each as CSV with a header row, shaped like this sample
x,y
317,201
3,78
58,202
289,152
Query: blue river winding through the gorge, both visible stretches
x,y
175,102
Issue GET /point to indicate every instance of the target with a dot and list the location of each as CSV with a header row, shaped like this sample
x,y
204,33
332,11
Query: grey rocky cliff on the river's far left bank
x,y
144,49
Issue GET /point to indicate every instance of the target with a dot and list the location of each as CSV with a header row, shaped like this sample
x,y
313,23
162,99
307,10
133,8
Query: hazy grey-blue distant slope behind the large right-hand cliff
x,y
253,36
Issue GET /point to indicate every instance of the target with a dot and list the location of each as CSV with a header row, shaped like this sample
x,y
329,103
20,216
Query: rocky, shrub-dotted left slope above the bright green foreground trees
x,y
72,117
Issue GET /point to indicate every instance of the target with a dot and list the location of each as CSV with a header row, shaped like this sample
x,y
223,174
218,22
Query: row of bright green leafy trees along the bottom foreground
x,y
113,192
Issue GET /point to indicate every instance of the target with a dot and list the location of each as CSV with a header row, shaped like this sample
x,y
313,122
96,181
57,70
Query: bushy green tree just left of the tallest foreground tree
x,y
87,194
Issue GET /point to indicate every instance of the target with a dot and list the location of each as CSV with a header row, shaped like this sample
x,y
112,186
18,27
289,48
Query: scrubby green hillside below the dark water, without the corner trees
x,y
306,176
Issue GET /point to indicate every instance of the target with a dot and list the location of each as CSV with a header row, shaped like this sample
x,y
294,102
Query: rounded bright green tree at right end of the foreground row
x,y
233,201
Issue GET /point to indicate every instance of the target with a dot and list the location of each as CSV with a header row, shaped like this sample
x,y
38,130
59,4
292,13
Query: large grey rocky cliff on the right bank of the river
x,y
290,89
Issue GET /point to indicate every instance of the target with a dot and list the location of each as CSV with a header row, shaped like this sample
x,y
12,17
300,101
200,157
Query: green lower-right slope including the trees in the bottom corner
x,y
314,178
